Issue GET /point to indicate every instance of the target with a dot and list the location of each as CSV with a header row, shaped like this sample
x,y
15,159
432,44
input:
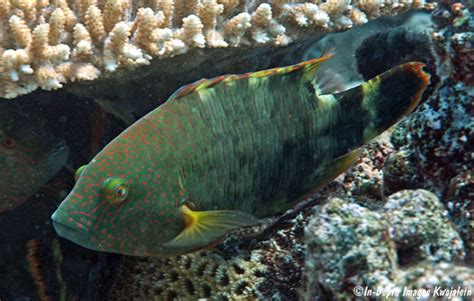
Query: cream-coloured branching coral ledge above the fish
x,y
44,44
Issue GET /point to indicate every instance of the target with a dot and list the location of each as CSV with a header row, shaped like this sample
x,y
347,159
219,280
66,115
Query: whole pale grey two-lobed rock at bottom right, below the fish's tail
x,y
349,245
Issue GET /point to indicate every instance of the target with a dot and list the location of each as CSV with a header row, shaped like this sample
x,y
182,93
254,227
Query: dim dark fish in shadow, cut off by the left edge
x,y
30,155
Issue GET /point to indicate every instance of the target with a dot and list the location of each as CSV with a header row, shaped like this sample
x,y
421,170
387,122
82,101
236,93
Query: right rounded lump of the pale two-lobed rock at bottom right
x,y
420,228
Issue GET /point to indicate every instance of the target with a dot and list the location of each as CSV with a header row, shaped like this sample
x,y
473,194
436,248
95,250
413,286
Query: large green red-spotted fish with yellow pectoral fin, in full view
x,y
223,153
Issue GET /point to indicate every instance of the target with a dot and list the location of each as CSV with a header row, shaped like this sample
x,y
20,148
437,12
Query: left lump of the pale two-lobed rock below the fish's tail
x,y
347,245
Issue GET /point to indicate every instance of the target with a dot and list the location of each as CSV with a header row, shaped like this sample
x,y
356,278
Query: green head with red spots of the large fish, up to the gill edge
x,y
122,201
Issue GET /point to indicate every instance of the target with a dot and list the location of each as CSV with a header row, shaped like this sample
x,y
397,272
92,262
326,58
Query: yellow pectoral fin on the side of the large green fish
x,y
205,227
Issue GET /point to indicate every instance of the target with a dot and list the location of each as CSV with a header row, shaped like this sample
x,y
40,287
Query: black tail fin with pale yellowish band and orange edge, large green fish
x,y
388,97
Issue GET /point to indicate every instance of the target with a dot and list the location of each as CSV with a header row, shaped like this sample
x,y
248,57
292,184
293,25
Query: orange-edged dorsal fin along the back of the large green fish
x,y
308,68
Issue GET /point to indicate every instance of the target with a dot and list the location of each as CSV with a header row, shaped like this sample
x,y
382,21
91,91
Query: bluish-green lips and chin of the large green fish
x,y
83,238
